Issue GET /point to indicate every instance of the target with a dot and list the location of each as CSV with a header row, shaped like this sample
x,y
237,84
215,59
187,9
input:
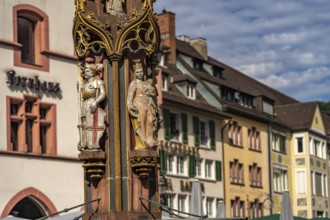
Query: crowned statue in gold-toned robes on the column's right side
x,y
143,110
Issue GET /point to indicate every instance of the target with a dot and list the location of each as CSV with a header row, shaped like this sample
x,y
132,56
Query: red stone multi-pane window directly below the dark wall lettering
x,y
31,126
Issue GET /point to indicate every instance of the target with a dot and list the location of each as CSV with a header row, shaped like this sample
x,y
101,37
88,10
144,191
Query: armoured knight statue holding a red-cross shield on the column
x,y
91,116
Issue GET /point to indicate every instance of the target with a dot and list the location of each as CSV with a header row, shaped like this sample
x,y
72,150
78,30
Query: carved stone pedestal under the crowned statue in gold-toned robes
x,y
143,161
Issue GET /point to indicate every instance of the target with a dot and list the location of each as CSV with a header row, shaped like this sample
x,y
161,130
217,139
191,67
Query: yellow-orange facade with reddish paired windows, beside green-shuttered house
x,y
246,174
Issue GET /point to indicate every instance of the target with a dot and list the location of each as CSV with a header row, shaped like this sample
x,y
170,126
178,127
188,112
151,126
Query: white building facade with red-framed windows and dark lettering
x,y
39,168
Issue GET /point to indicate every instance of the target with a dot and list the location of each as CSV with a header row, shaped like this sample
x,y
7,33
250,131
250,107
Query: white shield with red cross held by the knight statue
x,y
94,128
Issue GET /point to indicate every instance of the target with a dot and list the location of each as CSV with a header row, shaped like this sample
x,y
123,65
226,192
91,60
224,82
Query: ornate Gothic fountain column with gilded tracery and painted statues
x,y
116,42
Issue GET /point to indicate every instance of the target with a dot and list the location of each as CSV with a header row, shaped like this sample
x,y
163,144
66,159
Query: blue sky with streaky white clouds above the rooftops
x,y
284,43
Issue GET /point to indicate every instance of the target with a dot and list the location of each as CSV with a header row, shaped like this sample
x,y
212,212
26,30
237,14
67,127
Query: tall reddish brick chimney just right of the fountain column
x,y
166,21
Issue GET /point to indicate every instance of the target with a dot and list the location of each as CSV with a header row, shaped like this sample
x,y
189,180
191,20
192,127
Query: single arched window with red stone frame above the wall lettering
x,y
31,31
